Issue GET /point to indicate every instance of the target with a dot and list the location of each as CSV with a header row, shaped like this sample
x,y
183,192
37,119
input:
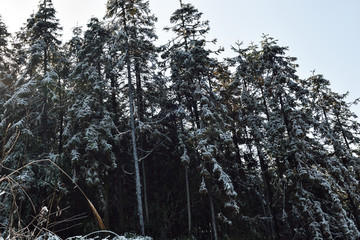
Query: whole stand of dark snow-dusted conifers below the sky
x,y
109,131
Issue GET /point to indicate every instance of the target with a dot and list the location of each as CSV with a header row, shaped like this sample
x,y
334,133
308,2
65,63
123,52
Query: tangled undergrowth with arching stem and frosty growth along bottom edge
x,y
15,227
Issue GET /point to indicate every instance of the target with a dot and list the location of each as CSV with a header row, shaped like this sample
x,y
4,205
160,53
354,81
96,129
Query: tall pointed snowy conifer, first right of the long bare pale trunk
x,y
199,110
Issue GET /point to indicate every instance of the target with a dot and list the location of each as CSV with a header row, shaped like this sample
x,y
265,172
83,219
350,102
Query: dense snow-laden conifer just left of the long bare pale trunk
x,y
90,130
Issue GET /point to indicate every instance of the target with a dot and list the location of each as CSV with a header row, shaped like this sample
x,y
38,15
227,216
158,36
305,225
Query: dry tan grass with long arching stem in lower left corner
x,y
41,220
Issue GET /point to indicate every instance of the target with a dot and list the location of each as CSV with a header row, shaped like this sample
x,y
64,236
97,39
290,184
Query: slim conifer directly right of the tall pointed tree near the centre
x,y
248,115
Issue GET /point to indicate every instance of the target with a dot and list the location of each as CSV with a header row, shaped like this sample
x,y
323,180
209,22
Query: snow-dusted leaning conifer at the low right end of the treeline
x,y
338,130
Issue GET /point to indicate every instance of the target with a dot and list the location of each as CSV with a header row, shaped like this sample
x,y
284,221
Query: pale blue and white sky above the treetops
x,y
323,34
